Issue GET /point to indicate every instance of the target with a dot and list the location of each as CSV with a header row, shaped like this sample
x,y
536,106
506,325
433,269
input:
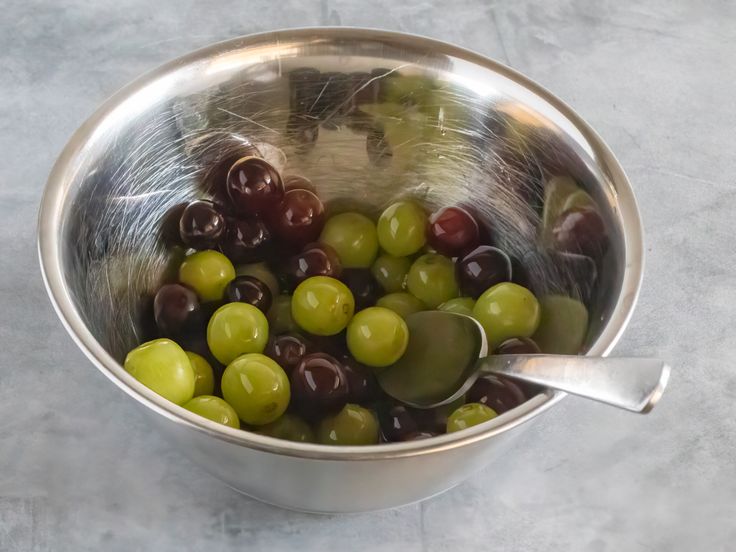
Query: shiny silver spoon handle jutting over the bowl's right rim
x,y
634,384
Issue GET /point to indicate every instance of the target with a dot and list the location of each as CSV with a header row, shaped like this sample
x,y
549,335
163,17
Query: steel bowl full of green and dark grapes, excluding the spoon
x,y
264,214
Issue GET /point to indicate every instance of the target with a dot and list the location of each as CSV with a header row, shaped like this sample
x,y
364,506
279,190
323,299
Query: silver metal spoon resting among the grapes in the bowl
x,y
447,352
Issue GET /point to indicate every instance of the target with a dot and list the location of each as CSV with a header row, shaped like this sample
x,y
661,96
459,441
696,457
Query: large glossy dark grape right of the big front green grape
x,y
319,385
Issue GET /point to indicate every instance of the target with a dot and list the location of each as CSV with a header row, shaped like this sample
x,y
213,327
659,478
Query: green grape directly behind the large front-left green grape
x,y
236,329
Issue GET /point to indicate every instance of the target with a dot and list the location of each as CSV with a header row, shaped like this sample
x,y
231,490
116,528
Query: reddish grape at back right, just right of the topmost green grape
x,y
453,231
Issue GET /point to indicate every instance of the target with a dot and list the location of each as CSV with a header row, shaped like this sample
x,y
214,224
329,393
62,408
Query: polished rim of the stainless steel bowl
x,y
49,220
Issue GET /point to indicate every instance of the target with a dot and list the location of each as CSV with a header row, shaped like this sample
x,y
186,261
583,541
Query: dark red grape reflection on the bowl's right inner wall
x,y
580,230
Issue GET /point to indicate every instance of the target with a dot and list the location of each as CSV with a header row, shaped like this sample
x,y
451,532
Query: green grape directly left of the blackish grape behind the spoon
x,y
432,280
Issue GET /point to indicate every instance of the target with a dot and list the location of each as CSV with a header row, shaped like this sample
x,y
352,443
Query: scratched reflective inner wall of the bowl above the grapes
x,y
369,117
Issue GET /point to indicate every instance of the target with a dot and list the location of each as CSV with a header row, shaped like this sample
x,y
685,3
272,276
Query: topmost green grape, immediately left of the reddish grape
x,y
402,229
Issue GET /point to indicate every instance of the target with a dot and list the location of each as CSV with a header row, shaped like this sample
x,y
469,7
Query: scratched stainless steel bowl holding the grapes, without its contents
x,y
301,96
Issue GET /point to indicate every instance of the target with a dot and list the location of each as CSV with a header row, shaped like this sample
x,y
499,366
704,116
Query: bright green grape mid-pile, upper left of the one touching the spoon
x,y
322,305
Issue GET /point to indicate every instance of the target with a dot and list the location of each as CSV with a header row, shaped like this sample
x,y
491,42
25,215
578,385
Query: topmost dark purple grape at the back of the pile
x,y
254,185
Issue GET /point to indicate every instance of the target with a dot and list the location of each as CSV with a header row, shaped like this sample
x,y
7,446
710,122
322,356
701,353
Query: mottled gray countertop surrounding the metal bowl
x,y
80,470
